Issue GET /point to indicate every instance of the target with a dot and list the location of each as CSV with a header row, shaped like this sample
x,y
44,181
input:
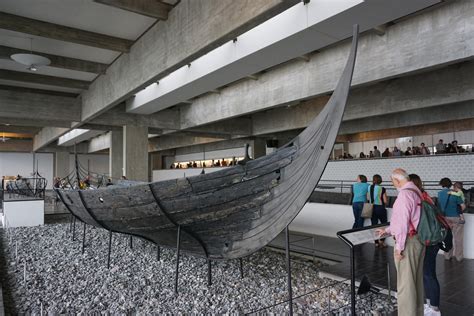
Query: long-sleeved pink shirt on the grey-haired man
x,y
405,209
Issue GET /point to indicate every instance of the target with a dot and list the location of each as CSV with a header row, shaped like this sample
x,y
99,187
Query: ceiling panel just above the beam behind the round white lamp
x,y
55,47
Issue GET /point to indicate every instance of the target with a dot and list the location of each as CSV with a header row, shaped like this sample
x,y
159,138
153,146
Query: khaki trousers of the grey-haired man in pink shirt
x,y
410,295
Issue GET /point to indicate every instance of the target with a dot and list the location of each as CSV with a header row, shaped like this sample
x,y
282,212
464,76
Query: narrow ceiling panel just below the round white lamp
x,y
47,71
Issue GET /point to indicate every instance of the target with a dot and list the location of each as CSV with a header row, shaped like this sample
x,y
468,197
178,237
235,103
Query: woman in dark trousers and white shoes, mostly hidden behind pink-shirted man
x,y
430,280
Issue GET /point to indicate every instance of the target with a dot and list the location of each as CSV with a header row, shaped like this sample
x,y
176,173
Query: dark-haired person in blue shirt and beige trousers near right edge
x,y
449,204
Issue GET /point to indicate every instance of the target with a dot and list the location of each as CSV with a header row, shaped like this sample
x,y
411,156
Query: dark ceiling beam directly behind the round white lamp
x,y
59,61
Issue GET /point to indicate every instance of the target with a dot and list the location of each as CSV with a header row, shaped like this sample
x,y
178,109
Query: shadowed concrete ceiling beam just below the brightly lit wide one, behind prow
x,y
449,85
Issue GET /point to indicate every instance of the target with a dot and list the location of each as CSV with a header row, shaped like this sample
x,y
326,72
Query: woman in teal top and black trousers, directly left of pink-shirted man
x,y
377,196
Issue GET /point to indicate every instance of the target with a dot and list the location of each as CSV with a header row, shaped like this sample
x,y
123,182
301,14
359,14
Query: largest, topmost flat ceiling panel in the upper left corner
x,y
81,14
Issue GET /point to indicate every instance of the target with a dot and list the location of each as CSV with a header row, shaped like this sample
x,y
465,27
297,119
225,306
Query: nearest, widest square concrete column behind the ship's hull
x,y
135,152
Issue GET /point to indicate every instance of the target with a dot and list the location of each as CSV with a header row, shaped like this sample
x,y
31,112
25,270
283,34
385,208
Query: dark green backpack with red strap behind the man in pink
x,y
433,227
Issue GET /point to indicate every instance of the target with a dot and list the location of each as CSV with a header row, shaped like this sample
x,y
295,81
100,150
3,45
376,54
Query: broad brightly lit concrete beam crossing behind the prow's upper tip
x,y
379,58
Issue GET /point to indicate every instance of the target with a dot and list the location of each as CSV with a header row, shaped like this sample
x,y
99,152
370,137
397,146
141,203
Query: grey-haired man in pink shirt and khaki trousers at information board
x,y
409,252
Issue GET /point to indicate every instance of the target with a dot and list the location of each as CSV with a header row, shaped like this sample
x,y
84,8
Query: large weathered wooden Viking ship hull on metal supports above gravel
x,y
226,214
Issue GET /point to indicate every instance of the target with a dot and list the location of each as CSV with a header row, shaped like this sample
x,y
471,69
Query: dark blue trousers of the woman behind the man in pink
x,y
430,281
